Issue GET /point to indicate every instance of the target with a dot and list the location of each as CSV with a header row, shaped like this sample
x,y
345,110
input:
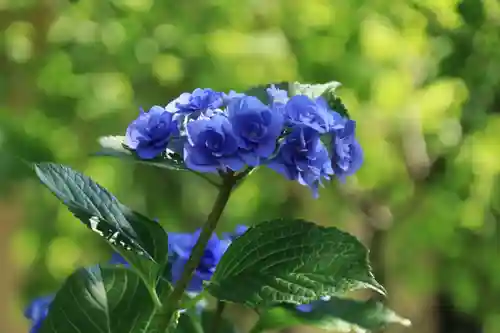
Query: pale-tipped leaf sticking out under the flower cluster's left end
x,y
114,146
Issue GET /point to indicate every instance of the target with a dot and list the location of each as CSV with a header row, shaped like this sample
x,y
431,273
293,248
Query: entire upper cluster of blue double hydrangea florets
x,y
215,131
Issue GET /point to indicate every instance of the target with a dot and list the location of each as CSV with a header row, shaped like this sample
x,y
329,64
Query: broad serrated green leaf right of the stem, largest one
x,y
291,261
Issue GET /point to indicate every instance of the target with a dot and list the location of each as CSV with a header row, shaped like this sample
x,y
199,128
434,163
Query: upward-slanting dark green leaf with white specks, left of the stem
x,y
141,241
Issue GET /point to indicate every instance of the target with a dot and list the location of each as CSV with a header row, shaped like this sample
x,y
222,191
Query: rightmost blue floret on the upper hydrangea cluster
x,y
346,152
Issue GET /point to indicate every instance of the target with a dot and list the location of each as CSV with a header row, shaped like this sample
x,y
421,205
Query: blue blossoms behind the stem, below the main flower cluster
x,y
180,247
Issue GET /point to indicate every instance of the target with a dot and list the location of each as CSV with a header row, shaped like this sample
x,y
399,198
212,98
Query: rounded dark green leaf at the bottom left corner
x,y
102,299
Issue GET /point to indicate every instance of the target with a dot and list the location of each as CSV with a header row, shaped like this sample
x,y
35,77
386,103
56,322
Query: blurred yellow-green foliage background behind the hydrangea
x,y
422,79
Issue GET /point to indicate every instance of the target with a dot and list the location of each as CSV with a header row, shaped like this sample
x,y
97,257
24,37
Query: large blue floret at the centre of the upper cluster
x,y
256,126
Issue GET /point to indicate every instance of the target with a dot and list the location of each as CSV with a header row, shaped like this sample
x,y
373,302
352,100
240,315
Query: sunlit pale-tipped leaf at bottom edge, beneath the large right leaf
x,y
337,314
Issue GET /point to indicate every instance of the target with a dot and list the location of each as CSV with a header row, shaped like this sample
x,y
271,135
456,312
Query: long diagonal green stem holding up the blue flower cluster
x,y
174,300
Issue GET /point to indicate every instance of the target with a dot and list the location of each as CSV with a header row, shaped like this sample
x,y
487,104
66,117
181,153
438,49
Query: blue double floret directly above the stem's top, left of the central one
x,y
211,145
